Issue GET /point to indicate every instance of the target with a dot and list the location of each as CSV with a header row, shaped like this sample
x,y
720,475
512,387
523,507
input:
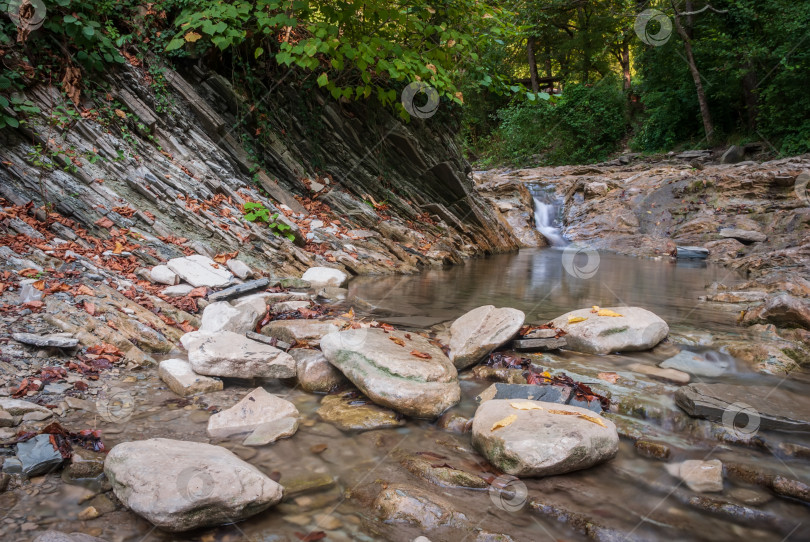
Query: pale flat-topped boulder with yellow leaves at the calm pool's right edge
x,y
635,330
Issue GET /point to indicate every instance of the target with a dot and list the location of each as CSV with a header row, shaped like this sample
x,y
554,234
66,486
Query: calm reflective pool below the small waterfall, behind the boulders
x,y
535,282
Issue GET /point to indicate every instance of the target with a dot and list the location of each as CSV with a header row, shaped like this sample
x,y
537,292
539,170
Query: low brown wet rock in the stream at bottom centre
x,y
406,504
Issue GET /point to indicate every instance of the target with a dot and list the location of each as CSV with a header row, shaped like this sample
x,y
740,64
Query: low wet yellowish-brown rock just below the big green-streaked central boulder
x,y
350,413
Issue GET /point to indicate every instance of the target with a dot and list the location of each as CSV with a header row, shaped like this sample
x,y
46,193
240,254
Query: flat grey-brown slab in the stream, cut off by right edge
x,y
730,404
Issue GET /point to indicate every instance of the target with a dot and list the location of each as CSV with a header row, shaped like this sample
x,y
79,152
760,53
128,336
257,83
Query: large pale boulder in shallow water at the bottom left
x,y
179,485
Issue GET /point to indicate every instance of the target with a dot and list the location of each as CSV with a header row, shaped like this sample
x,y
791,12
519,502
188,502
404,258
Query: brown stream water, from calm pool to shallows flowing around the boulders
x,y
629,498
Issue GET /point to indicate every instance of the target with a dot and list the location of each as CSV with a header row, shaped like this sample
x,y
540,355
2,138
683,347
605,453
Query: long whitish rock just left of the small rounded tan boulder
x,y
229,354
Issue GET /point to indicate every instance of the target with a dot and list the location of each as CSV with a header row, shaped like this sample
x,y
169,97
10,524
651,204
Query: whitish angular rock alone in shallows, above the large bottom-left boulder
x,y
255,409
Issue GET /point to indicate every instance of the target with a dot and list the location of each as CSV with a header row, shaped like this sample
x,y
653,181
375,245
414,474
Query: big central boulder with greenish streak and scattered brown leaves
x,y
399,370
